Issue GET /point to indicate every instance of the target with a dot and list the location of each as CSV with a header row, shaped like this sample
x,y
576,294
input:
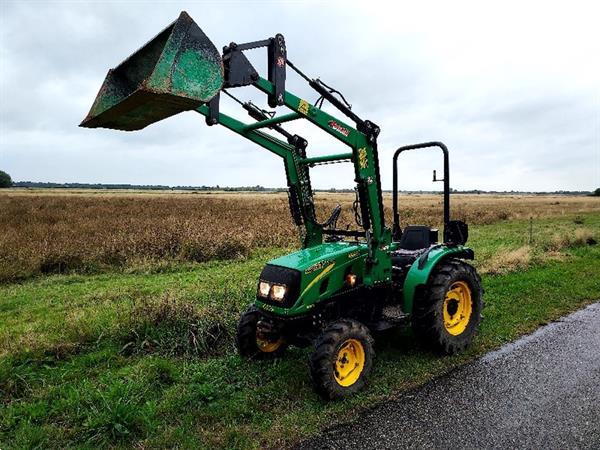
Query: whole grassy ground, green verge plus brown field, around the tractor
x,y
139,352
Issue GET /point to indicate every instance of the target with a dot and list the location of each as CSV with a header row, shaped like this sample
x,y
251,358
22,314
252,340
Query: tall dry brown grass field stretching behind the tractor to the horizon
x,y
57,232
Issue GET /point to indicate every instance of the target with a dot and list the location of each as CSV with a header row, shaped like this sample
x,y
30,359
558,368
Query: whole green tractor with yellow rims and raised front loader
x,y
343,285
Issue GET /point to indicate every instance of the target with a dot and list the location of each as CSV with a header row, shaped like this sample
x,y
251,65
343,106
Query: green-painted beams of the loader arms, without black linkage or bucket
x,y
362,154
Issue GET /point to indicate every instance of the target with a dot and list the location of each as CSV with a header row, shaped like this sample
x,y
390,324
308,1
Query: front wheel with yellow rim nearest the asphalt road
x,y
342,359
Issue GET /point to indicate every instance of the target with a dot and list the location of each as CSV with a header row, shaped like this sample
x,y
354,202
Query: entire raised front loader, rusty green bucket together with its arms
x,y
180,69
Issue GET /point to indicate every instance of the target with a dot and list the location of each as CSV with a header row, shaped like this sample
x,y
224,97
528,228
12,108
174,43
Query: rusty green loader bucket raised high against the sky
x,y
178,70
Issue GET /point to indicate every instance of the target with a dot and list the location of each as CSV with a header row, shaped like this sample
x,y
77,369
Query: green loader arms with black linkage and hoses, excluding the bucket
x,y
362,140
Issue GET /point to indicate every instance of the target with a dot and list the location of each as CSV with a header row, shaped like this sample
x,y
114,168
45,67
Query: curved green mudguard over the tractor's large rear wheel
x,y
419,272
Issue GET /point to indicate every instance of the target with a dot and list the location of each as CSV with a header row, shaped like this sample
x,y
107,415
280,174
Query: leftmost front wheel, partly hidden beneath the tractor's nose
x,y
250,344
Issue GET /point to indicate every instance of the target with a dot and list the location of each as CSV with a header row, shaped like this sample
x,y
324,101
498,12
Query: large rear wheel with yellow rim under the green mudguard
x,y
447,314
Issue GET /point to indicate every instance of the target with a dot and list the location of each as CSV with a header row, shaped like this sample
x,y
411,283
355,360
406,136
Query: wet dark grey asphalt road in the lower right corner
x,y
542,391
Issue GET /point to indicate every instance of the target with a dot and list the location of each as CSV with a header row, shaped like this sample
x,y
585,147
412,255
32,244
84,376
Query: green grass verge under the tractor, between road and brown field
x,y
116,360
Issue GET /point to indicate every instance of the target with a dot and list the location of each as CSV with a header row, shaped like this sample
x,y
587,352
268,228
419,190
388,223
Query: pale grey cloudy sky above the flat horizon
x,y
513,89
